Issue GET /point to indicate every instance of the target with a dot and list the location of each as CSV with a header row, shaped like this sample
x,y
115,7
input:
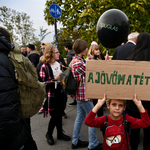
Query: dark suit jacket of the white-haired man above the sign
x,y
122,52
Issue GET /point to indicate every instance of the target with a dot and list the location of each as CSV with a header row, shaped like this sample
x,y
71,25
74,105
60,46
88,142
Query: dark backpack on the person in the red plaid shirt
x,y
69,84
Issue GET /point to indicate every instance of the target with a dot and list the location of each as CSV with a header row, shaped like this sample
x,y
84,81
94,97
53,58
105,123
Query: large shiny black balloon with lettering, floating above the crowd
x,y
112,28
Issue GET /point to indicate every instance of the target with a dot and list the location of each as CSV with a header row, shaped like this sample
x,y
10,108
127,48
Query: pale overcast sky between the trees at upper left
x,y
34,9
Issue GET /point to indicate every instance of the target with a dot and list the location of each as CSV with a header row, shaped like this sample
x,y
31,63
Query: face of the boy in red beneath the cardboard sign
x,y
116,108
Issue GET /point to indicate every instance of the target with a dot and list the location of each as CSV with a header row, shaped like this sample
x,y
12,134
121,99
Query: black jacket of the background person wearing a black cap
x,y
34,57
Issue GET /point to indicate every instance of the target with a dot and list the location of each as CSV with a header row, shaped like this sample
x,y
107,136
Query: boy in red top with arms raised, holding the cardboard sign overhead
x,y
116,136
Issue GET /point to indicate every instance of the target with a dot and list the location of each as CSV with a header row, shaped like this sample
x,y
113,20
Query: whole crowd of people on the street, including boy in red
x,y
121,128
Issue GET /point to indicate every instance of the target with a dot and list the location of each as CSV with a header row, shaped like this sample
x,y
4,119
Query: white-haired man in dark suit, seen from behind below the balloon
x,y
122,52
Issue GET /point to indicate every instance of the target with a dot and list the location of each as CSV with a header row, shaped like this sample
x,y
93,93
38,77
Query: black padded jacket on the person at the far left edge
x,y
12,128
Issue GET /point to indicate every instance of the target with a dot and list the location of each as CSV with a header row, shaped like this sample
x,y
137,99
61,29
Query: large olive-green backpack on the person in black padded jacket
x,y
31,92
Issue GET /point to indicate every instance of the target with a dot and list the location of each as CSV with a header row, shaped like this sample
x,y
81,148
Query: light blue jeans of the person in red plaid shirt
x,y
84,108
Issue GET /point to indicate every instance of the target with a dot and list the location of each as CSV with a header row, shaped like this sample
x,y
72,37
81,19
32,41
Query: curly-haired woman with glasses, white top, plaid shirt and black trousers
x,y
50,73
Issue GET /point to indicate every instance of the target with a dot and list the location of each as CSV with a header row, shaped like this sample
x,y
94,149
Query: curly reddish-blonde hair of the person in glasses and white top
x,y
49,53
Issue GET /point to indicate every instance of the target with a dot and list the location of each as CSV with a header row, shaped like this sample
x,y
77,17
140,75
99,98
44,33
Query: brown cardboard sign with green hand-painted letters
x,y
118,79
